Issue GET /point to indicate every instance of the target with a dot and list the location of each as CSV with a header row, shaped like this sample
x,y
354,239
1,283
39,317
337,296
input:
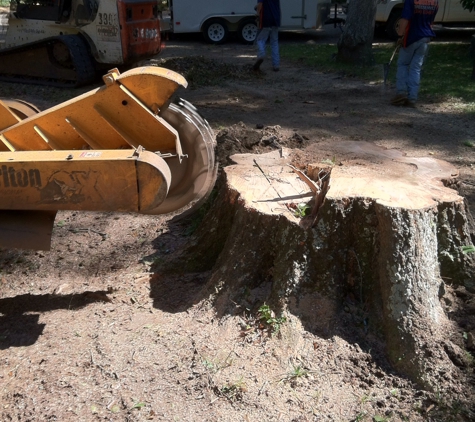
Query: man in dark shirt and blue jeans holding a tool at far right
x,y
415,30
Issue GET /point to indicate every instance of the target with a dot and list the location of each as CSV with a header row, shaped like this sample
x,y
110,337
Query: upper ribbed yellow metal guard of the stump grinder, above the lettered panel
x,y
121,114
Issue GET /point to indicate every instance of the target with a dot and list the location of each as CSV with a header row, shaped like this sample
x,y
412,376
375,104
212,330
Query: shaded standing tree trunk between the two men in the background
x,y
355,44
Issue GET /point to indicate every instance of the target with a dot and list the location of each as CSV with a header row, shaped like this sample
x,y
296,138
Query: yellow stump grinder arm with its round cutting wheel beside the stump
x,y
120,147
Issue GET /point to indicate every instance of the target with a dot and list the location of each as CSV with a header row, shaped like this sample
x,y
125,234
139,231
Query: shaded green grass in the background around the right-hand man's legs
x,y
446,73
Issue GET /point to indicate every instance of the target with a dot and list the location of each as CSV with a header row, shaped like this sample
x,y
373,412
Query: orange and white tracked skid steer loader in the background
x,y
69,42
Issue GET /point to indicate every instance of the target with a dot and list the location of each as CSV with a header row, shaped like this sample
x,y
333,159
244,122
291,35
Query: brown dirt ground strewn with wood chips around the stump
x,y
92,330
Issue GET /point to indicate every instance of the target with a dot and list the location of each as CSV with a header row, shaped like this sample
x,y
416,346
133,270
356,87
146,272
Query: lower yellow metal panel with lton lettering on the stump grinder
x,y
115,180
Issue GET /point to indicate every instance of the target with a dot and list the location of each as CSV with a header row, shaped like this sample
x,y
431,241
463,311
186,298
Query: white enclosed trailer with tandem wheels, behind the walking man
x,y
217,18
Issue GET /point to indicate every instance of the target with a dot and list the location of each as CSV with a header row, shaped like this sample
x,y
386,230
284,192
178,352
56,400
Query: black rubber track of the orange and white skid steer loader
x,y
82,63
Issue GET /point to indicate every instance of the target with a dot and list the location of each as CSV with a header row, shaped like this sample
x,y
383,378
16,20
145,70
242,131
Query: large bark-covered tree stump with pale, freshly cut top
x,y
384,243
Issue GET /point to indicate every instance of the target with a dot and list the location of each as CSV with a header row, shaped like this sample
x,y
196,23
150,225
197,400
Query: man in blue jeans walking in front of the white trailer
x,y
269,22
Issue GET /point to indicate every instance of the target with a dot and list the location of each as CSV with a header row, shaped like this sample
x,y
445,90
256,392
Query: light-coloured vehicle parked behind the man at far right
x,y
450,14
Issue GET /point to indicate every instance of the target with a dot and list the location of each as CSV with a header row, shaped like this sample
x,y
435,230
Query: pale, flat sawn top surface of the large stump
x,y
372,172
